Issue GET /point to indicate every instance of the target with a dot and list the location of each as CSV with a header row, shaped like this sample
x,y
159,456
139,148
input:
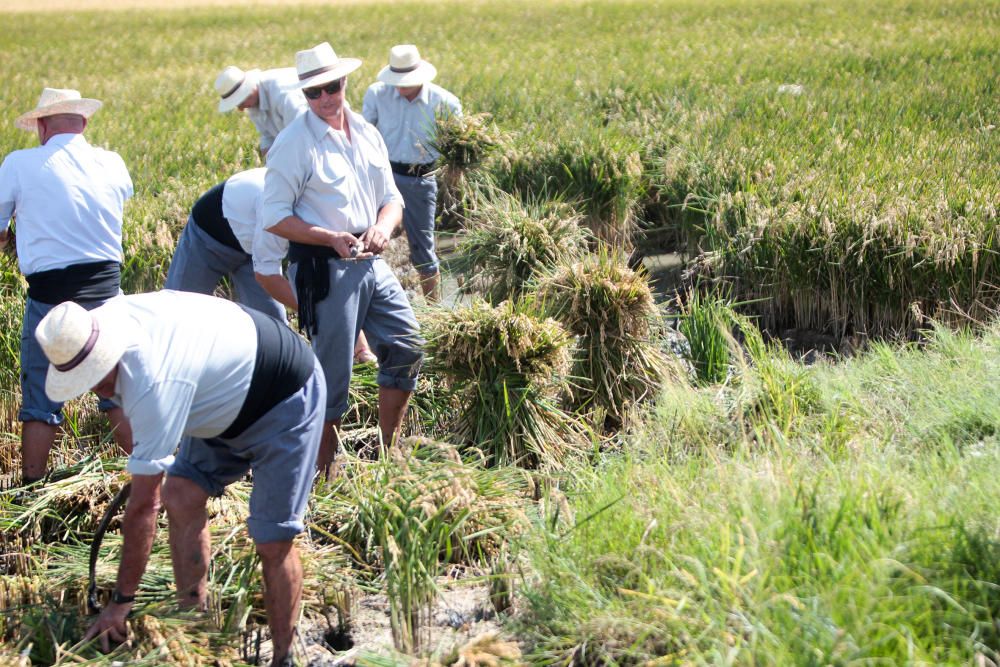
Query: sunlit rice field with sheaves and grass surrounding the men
x,y
623,495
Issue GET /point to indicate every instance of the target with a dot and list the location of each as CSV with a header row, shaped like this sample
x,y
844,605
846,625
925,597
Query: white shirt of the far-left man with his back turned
x,y
68,198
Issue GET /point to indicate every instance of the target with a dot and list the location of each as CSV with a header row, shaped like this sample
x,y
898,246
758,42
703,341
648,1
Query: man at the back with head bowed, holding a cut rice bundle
x,y
403,105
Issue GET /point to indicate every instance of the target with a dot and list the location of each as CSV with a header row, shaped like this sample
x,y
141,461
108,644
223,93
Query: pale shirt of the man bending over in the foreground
x,y
186,372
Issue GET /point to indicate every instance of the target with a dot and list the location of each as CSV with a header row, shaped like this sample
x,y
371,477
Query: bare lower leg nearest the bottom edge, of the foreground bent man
x,y
282,593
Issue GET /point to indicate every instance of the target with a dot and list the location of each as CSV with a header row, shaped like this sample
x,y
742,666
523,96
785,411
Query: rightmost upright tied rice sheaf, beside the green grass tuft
x,y
609,308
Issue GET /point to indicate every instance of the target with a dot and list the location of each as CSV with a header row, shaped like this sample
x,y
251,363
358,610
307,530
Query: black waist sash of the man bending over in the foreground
x,y
282,365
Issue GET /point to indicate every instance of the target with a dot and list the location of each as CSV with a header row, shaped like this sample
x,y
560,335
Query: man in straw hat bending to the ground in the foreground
x,y
240,392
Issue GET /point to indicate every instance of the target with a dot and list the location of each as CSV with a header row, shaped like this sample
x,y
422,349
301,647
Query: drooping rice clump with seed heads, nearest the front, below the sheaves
x,y
417,510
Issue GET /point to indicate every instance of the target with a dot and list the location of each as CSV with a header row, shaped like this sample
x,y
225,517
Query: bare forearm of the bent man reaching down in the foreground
x,y
138,531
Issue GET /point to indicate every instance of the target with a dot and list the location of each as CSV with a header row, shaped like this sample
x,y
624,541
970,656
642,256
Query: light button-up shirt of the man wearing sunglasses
x,y
315,173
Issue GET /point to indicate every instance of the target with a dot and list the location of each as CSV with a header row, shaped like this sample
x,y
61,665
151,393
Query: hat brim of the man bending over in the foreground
x,y
116,332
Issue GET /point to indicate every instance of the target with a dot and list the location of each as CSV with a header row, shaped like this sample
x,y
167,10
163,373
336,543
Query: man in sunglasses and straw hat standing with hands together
x,y
329,190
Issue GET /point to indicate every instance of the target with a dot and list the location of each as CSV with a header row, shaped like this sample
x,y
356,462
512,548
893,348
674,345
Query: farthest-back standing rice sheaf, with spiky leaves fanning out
x,y
507,243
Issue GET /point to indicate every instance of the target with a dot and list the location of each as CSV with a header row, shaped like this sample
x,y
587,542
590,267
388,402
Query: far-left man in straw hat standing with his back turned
x,y
67,199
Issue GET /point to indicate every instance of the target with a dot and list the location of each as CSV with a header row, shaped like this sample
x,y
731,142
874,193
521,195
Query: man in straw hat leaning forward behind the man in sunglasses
x,y
271,98
